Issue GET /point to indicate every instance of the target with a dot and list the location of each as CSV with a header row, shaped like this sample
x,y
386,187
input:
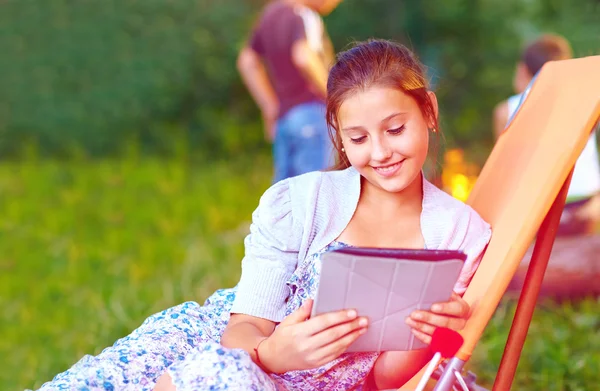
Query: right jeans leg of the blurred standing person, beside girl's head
x,y
312,146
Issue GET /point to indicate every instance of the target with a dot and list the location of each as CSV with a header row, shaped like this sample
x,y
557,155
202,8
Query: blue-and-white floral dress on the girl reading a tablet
x,y
184,340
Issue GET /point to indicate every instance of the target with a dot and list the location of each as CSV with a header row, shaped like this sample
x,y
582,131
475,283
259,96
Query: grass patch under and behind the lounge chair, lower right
x,y
562,350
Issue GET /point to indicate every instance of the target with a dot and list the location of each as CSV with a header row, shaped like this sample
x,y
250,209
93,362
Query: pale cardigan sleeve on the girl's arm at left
x,y
271,256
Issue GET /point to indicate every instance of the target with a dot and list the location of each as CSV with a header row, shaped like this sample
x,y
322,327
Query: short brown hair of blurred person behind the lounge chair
x,y
548,47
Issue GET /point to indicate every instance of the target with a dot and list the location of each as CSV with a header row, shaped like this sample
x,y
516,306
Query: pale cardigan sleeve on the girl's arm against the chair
x,y
473,235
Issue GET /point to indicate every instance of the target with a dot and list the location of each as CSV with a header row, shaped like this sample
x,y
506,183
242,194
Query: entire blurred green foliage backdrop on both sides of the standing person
x,y
81,76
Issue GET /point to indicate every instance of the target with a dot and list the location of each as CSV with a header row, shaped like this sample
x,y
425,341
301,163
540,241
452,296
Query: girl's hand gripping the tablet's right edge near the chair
x,y
452,314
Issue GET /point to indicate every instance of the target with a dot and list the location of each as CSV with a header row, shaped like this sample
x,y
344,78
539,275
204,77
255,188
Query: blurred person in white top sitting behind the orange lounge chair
x,y
582,210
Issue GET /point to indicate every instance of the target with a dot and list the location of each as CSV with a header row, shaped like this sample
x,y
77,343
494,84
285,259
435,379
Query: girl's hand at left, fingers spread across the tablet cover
x,y
298,343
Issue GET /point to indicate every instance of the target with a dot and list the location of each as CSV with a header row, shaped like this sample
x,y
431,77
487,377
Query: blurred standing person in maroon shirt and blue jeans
x,y
285,65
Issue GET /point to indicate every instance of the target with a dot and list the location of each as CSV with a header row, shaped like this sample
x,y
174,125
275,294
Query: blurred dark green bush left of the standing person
x,y
83,75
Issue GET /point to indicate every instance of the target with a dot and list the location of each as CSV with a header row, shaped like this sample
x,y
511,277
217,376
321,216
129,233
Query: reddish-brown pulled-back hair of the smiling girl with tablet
x,y
374,63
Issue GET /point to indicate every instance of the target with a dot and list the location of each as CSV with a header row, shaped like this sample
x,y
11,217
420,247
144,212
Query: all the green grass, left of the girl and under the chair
x,y
89,249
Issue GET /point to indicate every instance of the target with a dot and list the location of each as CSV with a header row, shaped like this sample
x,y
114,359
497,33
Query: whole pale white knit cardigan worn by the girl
x,y
301,215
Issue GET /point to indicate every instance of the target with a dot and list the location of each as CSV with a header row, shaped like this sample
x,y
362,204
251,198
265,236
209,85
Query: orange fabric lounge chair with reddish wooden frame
x,y
521,192
